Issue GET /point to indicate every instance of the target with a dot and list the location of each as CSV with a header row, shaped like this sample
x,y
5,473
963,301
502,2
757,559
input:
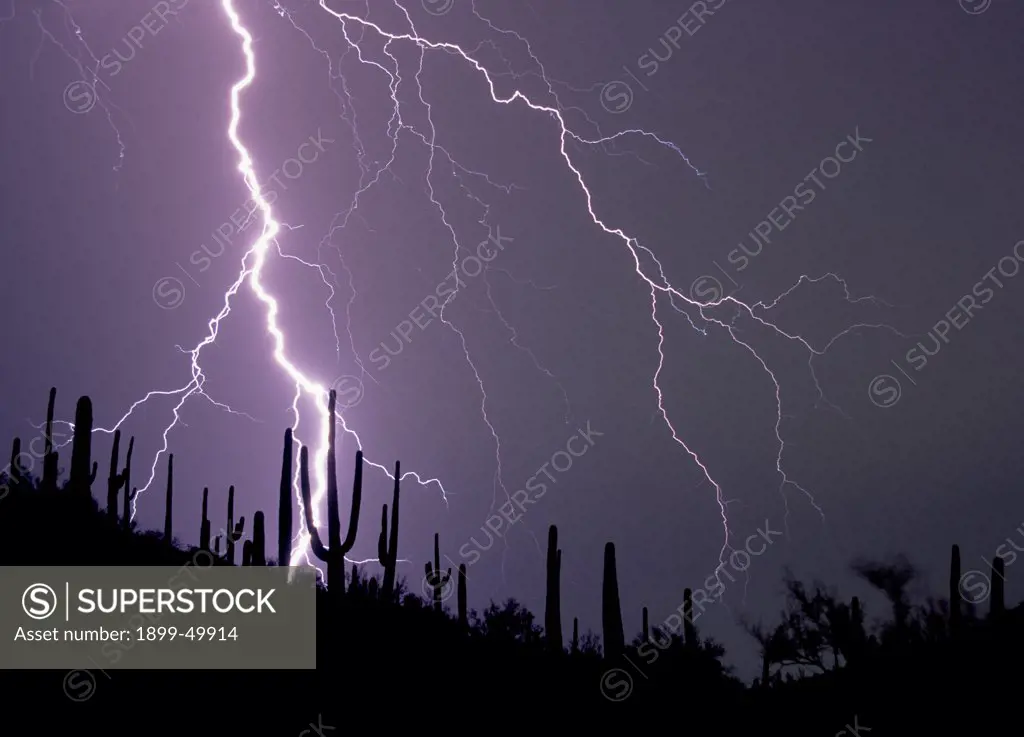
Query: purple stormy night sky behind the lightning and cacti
x,y
874,149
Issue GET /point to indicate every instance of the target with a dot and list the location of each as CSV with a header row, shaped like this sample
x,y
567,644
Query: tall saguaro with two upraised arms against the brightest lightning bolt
x,y
334,553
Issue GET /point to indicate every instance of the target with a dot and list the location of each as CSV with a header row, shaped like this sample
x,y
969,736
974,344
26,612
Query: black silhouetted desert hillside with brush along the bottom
x,y
397,662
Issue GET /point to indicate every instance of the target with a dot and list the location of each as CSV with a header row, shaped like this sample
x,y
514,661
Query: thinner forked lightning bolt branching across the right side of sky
x,y
696,312
